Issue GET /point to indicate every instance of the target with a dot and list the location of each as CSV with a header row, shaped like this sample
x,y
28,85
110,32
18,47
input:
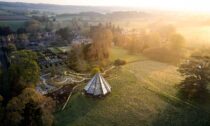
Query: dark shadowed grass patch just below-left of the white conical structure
x,y
78,107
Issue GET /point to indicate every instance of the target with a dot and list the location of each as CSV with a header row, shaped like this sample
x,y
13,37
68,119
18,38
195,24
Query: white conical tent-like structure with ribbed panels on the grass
x,y
97,86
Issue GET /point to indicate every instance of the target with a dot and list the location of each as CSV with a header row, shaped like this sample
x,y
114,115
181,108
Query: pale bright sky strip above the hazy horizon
x,y
185,5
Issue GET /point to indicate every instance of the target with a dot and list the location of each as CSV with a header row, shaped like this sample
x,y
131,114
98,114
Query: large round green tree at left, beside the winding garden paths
x,y
23,71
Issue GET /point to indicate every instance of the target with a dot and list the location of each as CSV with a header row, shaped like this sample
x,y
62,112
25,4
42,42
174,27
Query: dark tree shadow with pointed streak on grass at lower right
x,y
180,113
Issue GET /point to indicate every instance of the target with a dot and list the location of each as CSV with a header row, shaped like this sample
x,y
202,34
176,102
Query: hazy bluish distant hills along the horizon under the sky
x,y
59,8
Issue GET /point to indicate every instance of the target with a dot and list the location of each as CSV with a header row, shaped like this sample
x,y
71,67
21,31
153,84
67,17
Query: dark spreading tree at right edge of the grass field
x,y
196,71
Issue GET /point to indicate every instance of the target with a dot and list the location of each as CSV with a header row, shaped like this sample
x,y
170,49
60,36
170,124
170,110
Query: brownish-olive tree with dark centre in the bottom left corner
x,y
30,109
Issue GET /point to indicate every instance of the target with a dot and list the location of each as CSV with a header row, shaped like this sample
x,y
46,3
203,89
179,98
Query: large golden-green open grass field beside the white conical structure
x,y
143,94
